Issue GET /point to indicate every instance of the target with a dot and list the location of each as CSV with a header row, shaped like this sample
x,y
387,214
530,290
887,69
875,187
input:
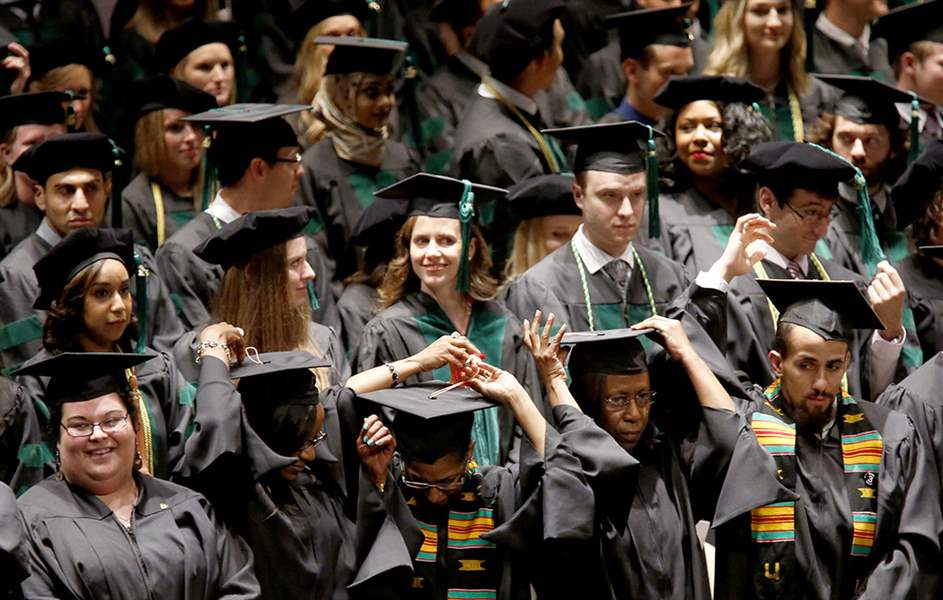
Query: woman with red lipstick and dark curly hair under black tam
x,y
710,128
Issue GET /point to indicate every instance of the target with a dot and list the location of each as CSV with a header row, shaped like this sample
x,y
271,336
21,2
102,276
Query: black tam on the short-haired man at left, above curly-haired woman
x,y
64,152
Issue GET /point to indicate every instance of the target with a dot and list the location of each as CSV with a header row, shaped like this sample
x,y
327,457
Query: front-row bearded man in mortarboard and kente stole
x,y
845,503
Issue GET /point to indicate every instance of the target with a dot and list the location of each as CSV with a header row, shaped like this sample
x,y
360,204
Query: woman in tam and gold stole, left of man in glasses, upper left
x,y
168,151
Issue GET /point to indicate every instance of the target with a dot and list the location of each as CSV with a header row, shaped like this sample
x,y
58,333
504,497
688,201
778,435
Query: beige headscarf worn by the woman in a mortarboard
x,y
333,110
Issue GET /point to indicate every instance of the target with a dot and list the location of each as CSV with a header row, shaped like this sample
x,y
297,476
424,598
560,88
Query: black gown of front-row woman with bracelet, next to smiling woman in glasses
x,y
302,538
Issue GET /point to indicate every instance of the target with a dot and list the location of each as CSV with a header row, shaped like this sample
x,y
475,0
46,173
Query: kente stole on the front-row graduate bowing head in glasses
x,y
468,567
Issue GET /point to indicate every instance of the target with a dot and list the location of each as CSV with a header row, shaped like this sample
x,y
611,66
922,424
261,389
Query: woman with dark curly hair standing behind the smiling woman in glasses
x,y
85,287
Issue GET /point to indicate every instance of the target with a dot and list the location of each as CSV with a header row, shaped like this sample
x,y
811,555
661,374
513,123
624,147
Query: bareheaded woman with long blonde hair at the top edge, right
x,y
763,41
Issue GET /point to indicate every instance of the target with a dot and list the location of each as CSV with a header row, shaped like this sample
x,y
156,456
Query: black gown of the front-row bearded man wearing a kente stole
x,y
904,559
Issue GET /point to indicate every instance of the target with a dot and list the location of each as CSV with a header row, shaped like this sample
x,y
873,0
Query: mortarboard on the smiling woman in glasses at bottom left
x,y
80,376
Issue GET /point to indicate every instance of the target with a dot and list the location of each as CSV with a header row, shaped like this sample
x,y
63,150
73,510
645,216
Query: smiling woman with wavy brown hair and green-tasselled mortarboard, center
x,y
439,283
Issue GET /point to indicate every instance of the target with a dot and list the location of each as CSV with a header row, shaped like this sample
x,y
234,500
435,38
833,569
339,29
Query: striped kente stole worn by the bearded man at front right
x,y
773,527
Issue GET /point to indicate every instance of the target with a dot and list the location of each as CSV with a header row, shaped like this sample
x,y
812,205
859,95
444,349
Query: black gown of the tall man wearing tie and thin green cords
x,y
554,285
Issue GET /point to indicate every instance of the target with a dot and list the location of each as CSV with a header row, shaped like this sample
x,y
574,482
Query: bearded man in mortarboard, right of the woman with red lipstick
x,y
863,127
